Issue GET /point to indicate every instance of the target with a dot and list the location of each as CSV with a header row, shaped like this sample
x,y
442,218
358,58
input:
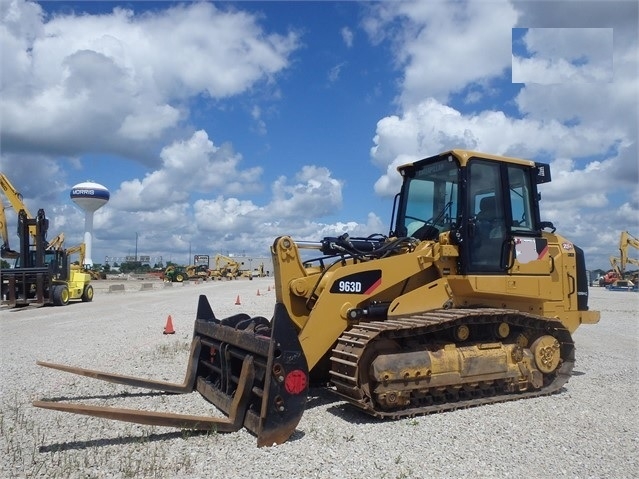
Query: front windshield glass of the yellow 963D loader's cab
x,y
429,206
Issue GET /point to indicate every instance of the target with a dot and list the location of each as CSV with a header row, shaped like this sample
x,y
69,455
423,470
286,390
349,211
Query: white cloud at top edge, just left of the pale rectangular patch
x,y
442,47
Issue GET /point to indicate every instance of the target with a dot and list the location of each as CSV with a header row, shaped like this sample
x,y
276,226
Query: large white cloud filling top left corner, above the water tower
x,y
116,81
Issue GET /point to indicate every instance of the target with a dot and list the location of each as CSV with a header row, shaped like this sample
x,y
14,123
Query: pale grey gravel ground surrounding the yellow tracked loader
x,y
590,429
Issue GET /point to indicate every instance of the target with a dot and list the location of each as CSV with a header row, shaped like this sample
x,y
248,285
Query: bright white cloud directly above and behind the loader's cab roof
x,y
431,127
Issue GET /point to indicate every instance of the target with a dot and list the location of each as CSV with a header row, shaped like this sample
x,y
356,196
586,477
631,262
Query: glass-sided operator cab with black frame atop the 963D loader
x,y
483,201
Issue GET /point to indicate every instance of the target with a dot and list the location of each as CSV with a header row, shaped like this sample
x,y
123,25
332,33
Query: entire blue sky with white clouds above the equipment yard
x,y
217,126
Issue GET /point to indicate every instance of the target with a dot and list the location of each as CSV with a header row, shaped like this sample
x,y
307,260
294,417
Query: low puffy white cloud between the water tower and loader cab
x,y
226,223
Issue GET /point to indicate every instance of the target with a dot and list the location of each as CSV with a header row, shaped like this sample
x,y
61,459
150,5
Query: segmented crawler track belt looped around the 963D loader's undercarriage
x,y
353,343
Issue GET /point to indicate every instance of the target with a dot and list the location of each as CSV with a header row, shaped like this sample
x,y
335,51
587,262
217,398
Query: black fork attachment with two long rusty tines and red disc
x,y
251,369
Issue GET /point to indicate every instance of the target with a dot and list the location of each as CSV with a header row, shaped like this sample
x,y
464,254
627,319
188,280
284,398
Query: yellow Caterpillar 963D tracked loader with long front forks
x,y
468,301
